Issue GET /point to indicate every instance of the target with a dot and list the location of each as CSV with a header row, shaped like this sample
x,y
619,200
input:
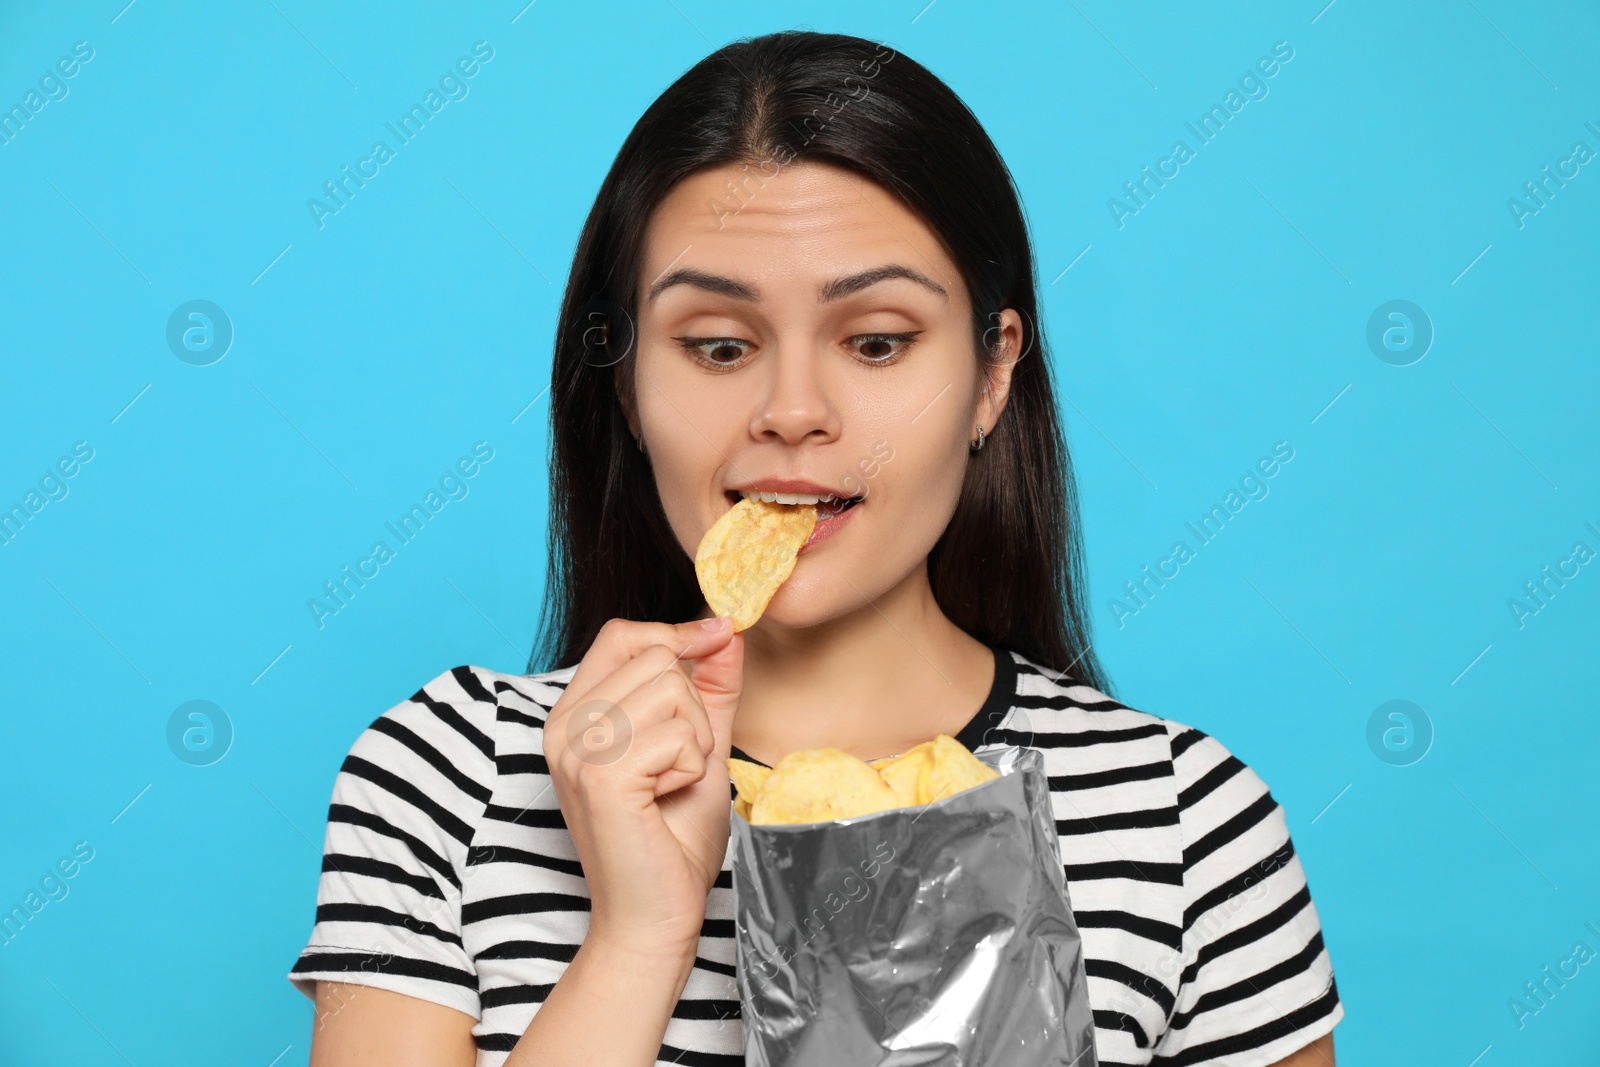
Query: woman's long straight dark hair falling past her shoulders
x,y
1009,567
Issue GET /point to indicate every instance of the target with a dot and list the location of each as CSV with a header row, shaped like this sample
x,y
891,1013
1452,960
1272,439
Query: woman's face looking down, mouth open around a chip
x,y
774,345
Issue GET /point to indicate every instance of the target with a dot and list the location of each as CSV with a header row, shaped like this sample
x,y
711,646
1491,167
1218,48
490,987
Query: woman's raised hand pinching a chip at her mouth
x,y
638,749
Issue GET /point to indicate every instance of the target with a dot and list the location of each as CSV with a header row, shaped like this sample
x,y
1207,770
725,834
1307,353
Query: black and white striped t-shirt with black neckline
x,y
449,876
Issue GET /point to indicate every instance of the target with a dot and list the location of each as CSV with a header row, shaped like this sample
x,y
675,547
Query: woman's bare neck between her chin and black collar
x,y
873,682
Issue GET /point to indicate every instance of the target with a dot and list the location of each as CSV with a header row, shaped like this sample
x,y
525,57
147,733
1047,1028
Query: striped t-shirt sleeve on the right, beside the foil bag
x,y
1257,983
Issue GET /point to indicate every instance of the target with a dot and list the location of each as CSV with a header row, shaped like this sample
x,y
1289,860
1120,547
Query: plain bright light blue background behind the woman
x,y
370,354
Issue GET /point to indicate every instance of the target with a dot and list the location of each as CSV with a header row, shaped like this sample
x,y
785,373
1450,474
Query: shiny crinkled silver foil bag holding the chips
x,y
924,937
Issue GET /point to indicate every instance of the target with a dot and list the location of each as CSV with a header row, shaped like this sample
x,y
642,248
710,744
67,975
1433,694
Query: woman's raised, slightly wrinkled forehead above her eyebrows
x,y
807,226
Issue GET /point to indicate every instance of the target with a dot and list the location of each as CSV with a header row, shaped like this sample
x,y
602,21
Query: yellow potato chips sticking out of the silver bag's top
x,y
822,785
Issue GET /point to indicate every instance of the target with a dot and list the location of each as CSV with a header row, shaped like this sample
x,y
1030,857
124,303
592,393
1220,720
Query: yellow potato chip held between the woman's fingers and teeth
x,y
748,554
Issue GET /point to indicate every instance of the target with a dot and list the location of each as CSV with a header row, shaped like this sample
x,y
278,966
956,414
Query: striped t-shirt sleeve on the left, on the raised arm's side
x,y
404,810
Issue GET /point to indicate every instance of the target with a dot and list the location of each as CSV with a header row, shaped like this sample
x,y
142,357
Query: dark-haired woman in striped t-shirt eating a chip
x,y
806,274
